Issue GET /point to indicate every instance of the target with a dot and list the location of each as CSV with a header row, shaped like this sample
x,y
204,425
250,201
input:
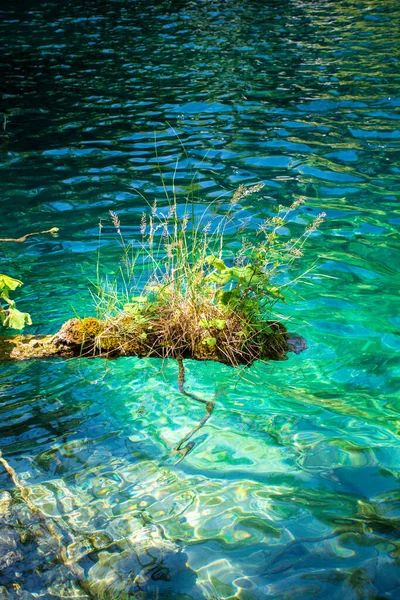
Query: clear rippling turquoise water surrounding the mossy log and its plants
x,y
292,488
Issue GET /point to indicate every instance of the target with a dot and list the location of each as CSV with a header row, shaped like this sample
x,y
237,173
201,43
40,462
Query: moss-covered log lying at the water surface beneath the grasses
x,y
121,336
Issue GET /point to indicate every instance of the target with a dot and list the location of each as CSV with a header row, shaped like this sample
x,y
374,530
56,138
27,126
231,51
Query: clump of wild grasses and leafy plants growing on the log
x,y
200,284
